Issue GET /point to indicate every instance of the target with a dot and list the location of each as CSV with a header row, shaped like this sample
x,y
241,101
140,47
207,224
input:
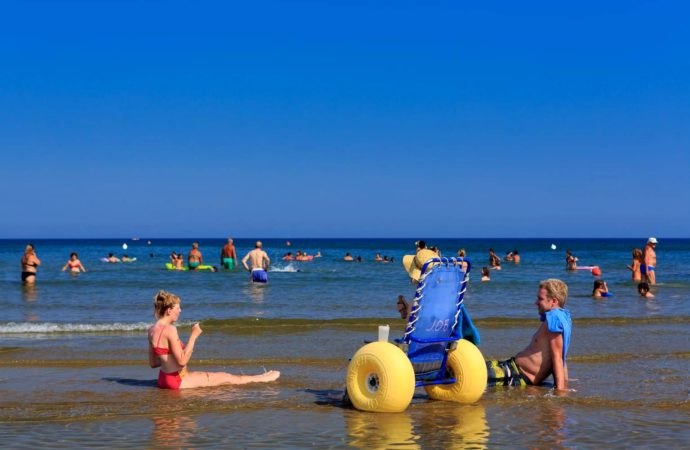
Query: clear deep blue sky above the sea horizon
x,y
344,119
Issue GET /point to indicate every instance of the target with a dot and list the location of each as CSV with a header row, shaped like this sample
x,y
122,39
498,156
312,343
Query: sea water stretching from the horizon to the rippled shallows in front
x,y
74,371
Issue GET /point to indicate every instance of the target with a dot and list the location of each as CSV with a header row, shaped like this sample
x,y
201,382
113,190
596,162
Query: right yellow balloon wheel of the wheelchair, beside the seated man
x,y
465,364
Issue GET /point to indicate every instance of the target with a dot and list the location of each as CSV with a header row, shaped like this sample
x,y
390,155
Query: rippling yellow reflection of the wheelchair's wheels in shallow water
x,y
435,425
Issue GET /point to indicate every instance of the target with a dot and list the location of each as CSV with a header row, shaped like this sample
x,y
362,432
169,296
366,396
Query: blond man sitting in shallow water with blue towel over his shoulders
x,y
546,354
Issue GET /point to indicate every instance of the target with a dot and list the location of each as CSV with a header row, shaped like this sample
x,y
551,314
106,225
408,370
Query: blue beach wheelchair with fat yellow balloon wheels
x,y
438,350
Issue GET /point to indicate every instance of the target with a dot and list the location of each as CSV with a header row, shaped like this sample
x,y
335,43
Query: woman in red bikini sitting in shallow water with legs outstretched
x,y
168,352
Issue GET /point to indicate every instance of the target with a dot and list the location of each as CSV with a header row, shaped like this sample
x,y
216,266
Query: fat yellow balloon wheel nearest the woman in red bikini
x,y
380,378
